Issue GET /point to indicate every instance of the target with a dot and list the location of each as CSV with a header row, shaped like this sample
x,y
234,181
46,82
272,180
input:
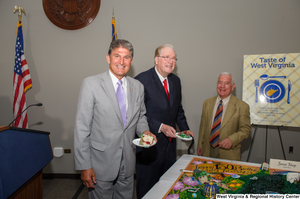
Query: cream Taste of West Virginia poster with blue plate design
x,y
271,87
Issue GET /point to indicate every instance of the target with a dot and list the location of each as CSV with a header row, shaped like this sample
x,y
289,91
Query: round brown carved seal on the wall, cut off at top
x,y
71,14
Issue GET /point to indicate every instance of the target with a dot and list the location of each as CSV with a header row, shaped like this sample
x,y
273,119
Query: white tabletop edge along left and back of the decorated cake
x,y
167,180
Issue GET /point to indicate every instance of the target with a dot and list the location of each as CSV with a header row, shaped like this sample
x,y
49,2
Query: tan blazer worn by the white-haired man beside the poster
x,y
235,125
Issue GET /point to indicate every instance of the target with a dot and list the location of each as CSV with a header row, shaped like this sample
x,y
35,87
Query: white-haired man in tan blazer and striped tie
x,y
225,122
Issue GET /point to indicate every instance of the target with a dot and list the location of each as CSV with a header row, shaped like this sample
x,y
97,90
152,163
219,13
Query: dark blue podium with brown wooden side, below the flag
x,y
23,155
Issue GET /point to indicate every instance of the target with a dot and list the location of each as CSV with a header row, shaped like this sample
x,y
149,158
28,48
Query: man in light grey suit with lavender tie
x,y
104,132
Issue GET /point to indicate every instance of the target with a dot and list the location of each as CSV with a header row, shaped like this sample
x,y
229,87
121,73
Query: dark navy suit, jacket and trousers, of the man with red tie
x,y
154,161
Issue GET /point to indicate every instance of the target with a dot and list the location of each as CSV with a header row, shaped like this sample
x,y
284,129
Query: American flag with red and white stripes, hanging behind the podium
x,y
22,81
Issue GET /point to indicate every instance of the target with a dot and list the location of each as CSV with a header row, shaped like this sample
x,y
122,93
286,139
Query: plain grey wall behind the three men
x,y
210,36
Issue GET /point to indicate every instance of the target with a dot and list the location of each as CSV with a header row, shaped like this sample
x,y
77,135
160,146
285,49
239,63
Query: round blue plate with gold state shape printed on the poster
x,y
272,90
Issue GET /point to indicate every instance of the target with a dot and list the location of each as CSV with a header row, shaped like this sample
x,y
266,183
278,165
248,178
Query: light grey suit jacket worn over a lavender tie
x,y
100,138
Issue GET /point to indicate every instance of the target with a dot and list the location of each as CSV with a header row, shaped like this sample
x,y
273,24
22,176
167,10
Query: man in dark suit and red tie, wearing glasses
x,y
164,111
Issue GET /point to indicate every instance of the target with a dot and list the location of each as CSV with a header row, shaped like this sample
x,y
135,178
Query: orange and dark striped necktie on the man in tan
x,y
215,129
